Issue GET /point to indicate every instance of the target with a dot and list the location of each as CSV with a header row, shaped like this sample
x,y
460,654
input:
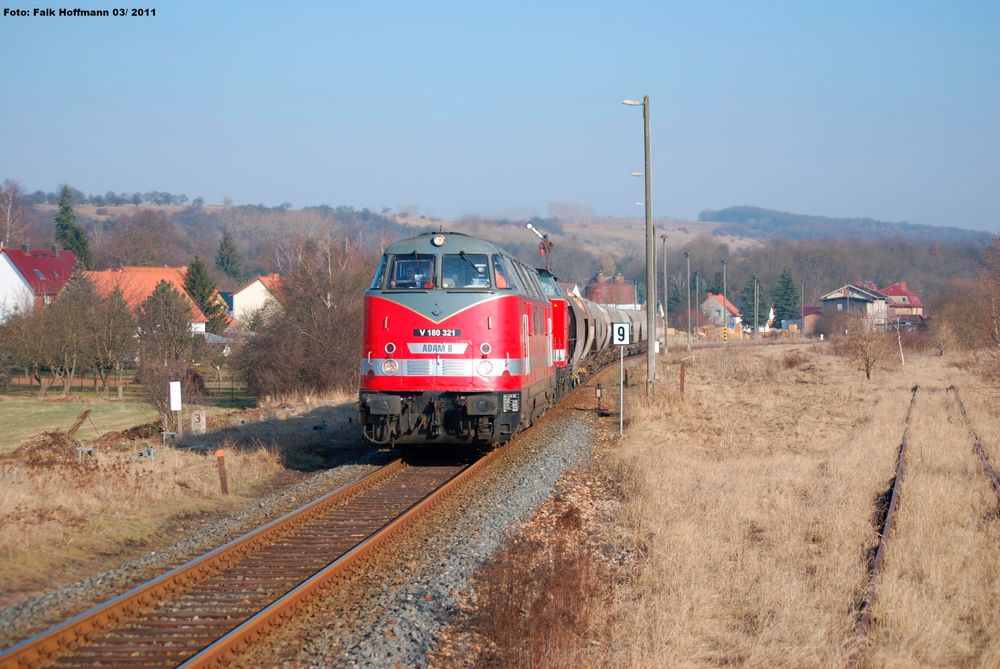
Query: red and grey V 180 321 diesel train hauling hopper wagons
x,y
463,343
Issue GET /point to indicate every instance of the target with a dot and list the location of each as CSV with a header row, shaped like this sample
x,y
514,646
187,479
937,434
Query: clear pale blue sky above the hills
x,y
883,109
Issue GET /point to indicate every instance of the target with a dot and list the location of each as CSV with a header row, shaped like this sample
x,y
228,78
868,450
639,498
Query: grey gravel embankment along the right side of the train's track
x,y
391,613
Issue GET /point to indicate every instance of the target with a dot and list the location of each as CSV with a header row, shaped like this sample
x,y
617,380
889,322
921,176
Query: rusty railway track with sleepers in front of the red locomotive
x,y
215,605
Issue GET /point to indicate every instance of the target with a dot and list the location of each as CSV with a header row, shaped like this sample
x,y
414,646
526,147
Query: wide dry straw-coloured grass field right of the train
x,y
744,519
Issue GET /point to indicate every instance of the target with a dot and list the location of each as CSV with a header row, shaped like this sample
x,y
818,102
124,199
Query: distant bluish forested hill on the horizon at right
x,y
767,224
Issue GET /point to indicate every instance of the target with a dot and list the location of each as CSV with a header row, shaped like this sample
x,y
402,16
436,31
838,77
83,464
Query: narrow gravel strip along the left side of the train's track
x,y
36,614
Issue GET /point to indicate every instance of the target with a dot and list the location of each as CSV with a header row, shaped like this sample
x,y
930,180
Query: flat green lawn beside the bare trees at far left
x,y
22,417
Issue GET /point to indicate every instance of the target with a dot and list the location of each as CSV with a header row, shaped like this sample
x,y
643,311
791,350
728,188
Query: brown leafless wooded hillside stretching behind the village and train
x,y
259,240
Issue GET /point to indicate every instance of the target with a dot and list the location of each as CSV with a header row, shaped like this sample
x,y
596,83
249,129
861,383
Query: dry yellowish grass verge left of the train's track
x,y
58,522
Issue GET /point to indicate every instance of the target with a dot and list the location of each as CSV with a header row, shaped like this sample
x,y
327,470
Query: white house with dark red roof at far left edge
x,y
30,279
